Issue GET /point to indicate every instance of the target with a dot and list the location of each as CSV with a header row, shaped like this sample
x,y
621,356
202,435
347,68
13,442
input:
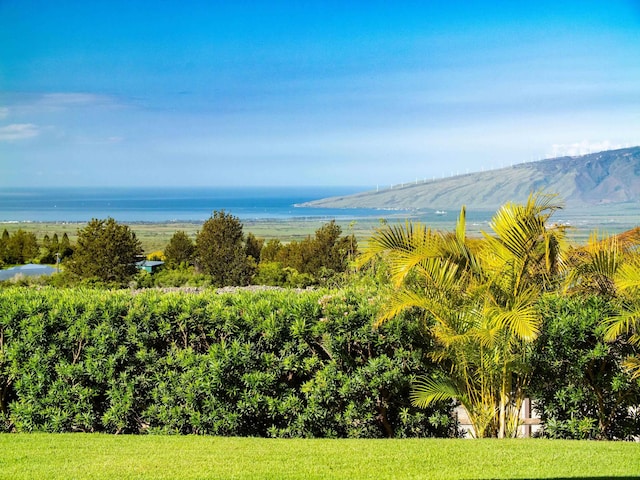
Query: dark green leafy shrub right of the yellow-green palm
x,y
579,383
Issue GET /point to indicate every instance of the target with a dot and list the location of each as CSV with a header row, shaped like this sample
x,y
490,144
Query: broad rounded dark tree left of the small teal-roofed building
x,y
106,251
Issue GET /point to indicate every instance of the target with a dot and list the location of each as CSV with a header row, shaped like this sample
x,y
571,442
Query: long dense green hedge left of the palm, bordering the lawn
x,y
275,363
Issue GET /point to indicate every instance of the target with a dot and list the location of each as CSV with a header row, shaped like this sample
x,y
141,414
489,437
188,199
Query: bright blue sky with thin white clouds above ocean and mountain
x,y
308,93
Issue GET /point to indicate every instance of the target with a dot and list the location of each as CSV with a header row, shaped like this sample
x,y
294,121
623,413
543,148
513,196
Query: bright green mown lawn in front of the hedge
x,y
95,456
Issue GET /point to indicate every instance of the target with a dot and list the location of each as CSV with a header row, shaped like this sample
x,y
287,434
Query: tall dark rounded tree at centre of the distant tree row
x,y
221,252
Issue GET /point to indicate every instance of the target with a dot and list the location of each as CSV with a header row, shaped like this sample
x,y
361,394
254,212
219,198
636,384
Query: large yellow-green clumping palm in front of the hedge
x,y
480,299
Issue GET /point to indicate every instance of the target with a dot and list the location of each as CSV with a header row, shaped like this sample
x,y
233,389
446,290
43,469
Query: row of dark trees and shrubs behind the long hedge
x,y
109,253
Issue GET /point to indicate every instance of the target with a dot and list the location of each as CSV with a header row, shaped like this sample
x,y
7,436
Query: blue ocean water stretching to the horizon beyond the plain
x,y
170,204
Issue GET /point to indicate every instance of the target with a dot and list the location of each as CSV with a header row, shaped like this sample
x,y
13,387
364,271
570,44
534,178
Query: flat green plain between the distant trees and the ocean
x,y
155,236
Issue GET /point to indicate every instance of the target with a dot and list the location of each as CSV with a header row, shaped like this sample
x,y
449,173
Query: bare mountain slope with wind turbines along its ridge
x,y
602,178
